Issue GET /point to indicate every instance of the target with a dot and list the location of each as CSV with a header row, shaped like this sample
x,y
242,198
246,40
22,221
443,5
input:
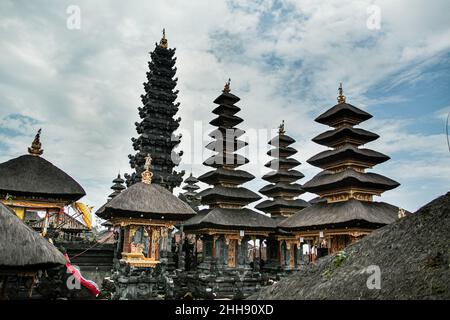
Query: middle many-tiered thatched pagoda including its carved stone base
x,y
227,226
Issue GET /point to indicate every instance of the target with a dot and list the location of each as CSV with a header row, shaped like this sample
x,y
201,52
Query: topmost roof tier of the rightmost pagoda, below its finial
x,y
343,111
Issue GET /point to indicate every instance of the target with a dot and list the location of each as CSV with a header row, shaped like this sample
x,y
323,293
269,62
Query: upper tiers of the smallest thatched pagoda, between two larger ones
x,y
283,188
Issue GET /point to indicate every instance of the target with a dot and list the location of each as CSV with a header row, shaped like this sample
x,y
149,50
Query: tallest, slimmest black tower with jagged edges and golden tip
x,y
156,130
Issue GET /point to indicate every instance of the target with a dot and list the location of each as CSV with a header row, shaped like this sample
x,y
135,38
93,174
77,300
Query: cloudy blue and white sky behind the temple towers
x,y
285,59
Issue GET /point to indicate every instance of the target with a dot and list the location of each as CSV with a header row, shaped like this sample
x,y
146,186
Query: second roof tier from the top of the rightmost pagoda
x,y
355,136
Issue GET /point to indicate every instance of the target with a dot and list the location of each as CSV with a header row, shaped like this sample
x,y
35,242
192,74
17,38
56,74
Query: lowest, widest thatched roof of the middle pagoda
x,y
244,219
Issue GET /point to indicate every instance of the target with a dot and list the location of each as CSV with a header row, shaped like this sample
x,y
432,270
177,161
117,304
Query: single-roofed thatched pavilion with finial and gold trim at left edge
x,y
33,187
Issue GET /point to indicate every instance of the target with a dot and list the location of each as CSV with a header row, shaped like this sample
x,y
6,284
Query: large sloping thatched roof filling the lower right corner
x,y
413,255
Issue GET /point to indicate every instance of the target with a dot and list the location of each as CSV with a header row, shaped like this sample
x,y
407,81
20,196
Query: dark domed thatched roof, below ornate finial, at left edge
x,y
30,175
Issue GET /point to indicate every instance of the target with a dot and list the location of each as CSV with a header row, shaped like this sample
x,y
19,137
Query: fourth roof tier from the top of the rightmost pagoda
x,y
326,181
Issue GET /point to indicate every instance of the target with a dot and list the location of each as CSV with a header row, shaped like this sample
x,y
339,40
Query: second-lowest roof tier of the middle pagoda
x,y
219,194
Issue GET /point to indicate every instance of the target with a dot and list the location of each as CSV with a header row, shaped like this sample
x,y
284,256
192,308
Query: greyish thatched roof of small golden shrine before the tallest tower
x,y
146,201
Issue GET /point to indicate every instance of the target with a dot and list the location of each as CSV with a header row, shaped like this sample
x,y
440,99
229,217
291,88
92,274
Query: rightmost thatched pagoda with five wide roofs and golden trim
x,y
349,211
